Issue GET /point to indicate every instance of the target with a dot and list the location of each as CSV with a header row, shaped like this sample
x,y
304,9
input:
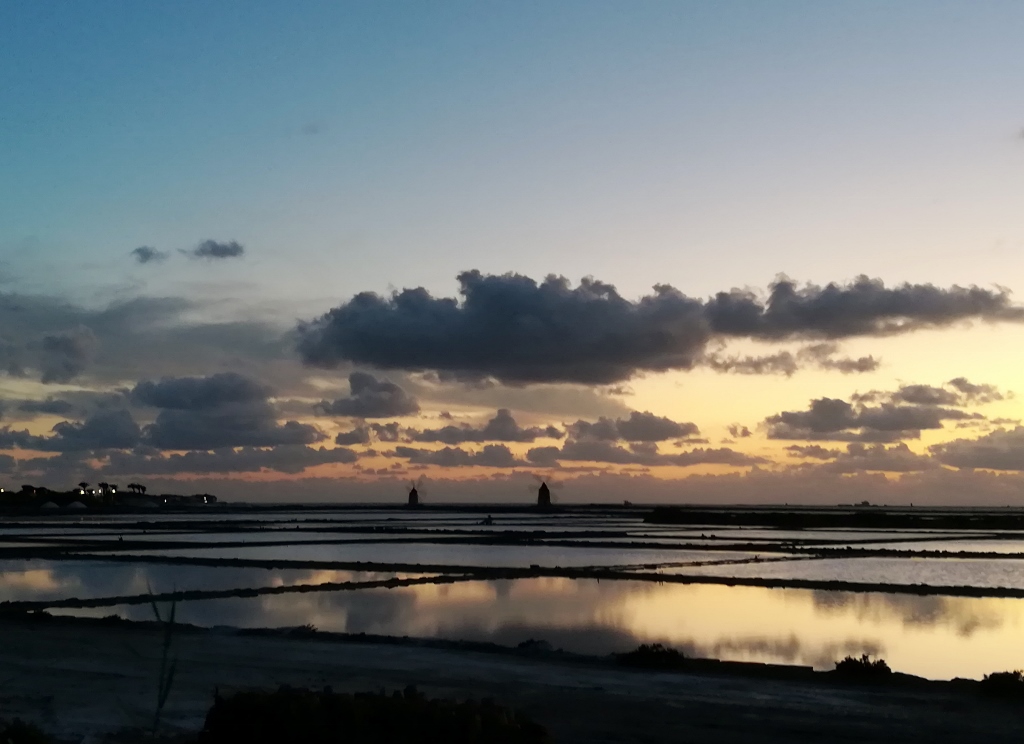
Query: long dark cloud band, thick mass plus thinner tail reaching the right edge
x,y
518,331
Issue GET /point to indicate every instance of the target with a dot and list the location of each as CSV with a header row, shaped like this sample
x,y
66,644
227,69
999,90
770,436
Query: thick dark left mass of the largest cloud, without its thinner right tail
x,y
513,329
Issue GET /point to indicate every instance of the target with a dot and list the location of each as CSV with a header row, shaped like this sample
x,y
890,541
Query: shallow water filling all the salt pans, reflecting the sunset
x,y
938,637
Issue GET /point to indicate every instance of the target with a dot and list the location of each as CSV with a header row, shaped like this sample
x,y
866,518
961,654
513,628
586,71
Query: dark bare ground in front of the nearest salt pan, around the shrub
x,y
88,680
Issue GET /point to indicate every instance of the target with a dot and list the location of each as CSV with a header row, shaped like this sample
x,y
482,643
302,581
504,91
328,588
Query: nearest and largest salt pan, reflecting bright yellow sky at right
x,y
933,637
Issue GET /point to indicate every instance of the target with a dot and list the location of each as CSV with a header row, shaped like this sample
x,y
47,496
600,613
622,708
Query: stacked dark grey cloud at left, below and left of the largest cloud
x,y
222,411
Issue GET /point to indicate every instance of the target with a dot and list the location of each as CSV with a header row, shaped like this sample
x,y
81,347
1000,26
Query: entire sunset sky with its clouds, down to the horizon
x,y
688,252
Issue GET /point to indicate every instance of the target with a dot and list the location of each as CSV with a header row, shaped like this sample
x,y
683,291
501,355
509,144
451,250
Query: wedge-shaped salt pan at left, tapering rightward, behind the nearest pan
x,y
44,581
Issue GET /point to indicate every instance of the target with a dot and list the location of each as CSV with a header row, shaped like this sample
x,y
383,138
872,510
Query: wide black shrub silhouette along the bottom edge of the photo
x,y
327,718
